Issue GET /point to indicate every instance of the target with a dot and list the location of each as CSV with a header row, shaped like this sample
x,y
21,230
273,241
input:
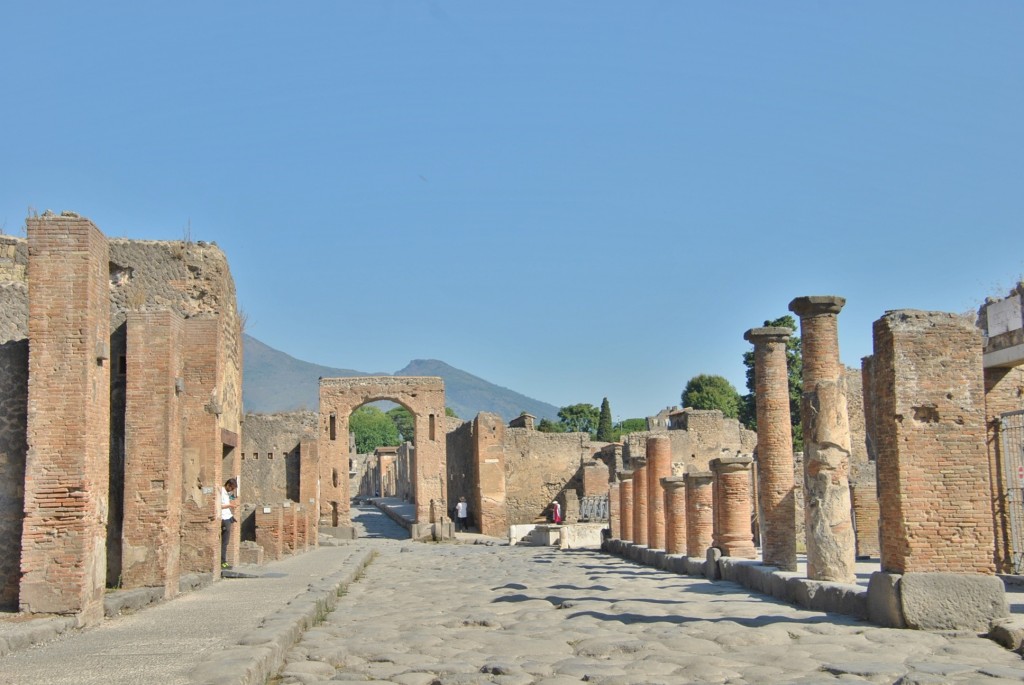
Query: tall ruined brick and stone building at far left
x,y
120,414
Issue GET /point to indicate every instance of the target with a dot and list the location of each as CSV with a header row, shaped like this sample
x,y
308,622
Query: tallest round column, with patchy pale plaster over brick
x,y
831,541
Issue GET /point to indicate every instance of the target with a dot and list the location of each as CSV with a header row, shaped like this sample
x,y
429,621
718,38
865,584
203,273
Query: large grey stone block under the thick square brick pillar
x,y
953,602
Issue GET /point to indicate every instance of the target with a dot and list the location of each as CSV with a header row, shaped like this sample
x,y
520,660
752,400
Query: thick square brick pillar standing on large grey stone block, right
x,y
934,485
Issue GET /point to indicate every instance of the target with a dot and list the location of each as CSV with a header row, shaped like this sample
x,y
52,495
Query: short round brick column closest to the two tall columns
x,y
733,506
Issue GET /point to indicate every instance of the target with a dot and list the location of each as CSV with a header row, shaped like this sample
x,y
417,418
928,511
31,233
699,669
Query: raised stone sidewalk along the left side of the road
x,y
234,632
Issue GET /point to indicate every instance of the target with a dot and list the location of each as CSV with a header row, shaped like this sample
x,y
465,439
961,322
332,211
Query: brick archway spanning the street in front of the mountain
x,y
424,398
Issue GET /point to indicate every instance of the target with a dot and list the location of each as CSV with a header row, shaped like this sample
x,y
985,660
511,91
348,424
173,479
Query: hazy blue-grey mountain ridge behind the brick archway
x,y
275,381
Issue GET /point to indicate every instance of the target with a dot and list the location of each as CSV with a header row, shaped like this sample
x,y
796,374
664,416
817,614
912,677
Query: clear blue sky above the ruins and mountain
x,y
573,200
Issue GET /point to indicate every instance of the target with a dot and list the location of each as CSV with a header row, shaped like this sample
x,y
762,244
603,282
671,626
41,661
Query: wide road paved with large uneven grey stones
x,y
451,614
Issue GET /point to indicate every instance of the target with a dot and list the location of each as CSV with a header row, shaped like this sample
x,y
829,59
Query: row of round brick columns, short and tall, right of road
x,y
692,513
